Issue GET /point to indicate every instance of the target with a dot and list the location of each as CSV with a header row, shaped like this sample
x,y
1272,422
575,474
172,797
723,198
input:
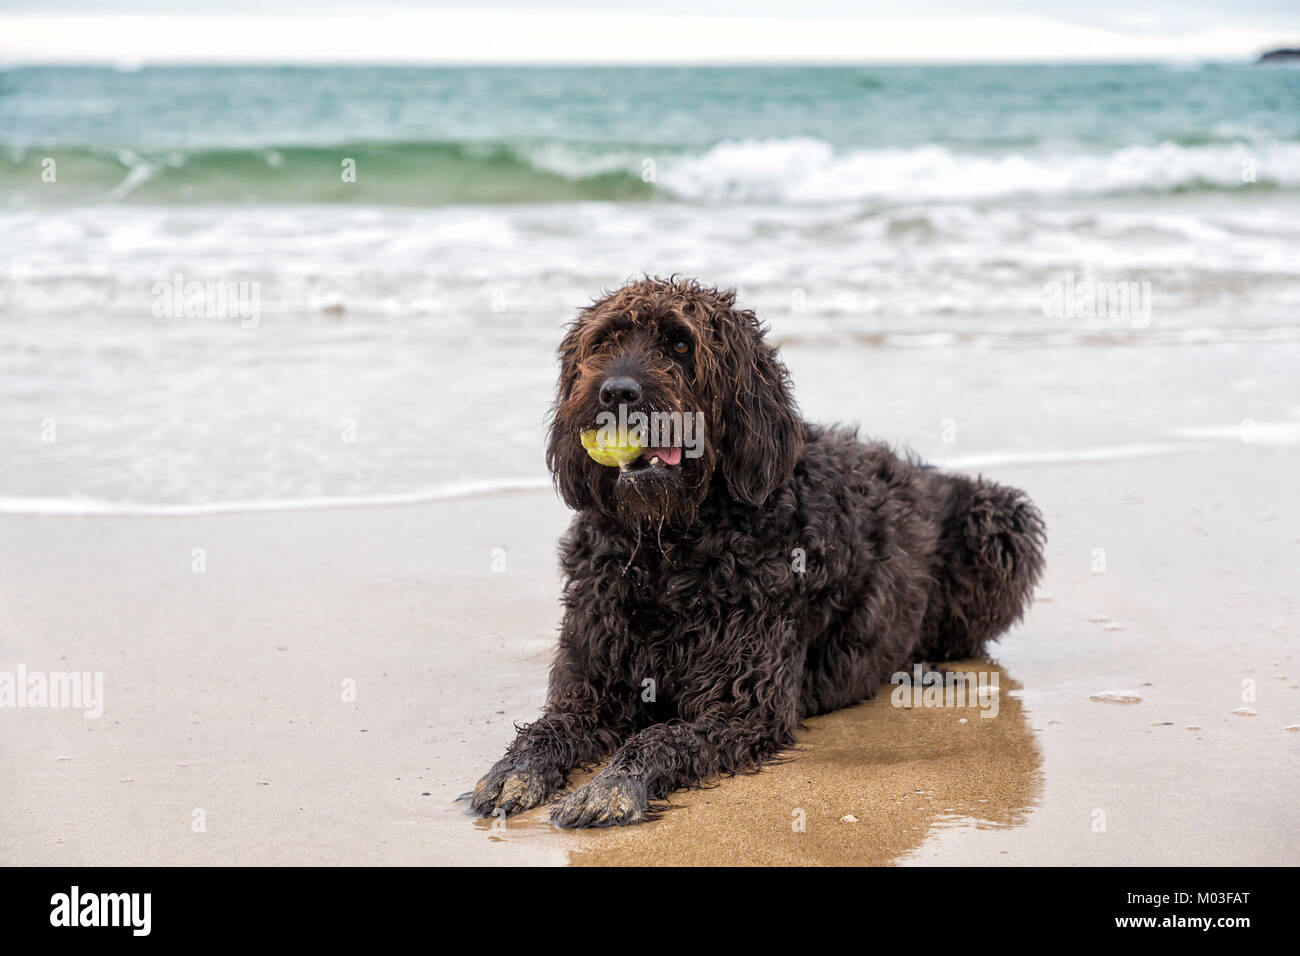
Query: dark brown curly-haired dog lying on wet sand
x,y
713,602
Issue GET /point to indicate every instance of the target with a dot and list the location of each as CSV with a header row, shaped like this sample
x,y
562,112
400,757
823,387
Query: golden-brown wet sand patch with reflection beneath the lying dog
x,y
902,772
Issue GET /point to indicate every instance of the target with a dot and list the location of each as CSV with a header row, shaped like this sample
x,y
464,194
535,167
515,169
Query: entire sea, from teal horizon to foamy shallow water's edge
x,y
941,252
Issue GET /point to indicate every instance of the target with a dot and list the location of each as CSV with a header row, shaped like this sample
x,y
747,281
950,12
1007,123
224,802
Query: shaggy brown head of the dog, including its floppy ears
x,y
695,380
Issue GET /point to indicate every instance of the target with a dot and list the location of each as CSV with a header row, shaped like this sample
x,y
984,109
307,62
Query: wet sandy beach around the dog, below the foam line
x,y
331,680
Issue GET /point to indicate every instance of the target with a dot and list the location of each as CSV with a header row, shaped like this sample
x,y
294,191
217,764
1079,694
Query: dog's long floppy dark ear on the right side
x,y
762,431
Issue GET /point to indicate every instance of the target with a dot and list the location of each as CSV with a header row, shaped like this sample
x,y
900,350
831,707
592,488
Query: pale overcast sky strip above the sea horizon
x,y
617,32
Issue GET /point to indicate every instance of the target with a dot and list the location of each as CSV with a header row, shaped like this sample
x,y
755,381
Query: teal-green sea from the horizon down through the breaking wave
x,y
471,136
